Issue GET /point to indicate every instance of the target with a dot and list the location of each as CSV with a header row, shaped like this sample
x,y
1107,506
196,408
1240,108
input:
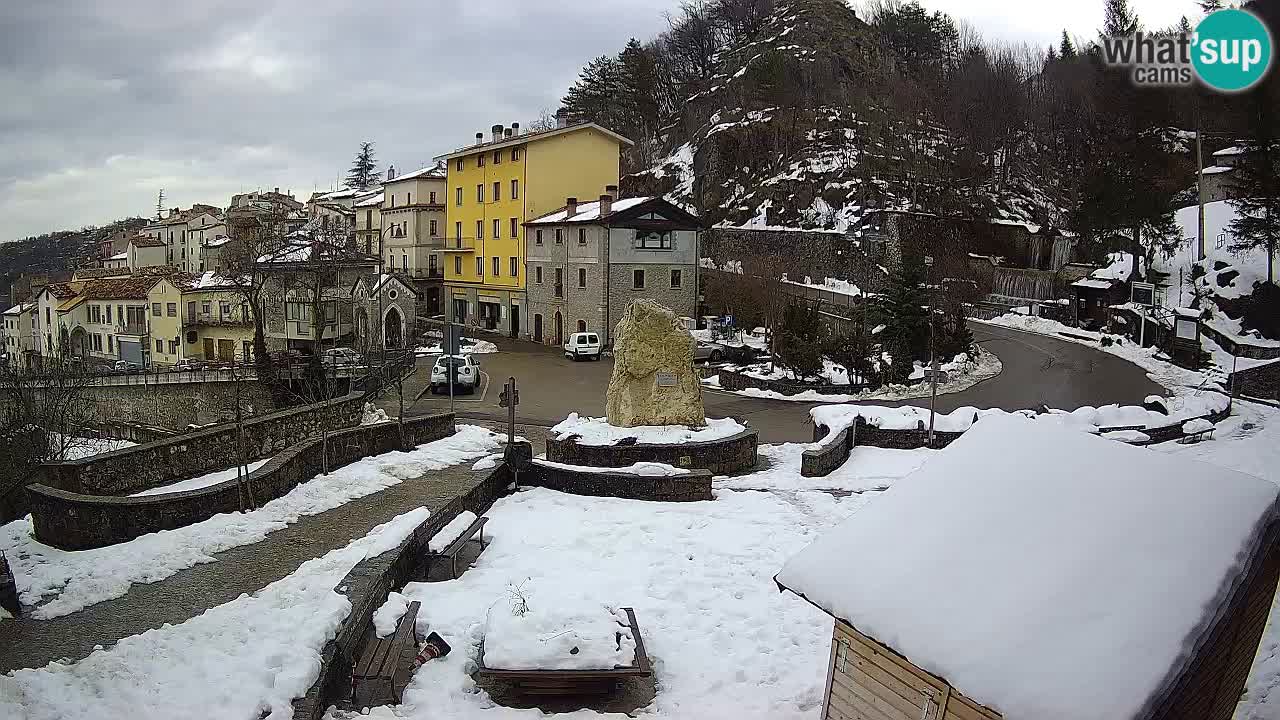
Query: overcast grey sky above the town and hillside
x,y
107,102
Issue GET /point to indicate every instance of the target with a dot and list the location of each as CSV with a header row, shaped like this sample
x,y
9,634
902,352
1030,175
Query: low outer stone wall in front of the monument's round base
x,y
696,485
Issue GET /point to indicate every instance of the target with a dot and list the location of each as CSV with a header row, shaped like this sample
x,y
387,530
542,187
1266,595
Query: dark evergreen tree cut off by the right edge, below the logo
x,y
1258,185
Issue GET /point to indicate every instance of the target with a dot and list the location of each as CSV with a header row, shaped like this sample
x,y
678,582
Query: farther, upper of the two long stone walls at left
x,y
161,463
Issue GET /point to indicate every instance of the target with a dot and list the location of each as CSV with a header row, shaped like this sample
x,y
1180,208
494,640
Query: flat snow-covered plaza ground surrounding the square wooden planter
x,y
725,642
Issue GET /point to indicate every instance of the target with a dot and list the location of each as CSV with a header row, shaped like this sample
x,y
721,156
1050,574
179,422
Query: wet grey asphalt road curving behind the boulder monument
x,y
1037,371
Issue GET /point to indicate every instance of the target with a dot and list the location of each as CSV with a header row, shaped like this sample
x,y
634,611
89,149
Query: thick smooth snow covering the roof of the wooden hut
x,y
1040,571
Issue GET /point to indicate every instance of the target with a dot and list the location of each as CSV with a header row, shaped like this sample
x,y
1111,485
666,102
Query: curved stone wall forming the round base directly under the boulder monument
x,y
723,457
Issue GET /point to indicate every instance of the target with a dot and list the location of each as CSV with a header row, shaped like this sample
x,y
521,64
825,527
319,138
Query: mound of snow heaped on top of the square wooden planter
x,y
559,634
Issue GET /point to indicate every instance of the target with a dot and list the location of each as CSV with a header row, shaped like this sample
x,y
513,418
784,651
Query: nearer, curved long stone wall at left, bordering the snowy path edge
x,y
77,522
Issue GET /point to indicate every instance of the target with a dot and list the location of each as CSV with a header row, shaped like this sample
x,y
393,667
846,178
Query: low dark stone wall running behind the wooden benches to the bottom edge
x,y
368,585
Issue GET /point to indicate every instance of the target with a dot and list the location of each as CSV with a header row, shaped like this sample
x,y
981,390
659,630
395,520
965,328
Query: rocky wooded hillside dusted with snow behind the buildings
x,y
808,113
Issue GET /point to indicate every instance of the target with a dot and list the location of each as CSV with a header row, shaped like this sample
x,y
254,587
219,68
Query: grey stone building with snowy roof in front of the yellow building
x,y
588,262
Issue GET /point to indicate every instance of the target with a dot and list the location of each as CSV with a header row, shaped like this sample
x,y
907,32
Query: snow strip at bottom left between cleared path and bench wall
x,y
249,658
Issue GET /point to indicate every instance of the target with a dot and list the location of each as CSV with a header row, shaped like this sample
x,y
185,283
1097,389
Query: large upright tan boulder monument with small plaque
x,y
653,380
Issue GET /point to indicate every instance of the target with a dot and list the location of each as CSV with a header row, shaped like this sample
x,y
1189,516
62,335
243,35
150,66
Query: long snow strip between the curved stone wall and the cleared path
x,y
71,581
